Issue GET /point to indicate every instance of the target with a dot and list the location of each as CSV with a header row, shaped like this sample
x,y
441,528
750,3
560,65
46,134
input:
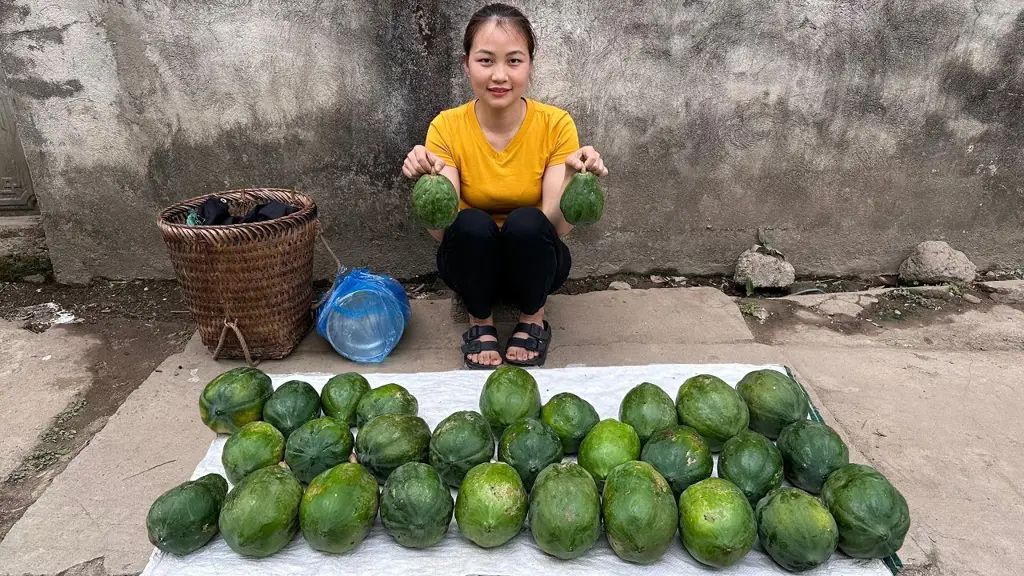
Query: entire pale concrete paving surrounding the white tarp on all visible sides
x,y
930,403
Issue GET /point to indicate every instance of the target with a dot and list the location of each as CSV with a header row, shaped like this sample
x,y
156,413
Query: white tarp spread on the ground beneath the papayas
x,y
441,394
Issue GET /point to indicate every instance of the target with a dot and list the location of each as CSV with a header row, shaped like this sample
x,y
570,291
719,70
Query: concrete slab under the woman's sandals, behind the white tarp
x,y
670,319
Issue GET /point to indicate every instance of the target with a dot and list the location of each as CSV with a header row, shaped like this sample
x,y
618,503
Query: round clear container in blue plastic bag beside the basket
x,y
364,316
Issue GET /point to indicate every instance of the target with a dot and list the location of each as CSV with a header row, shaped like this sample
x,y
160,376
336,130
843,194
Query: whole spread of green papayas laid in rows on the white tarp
x,y
667,446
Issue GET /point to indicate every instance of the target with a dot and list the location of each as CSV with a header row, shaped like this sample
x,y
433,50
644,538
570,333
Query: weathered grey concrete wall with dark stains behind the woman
x,y
851,129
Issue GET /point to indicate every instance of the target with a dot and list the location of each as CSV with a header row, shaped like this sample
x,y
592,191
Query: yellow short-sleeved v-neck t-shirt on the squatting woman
x,y
501,182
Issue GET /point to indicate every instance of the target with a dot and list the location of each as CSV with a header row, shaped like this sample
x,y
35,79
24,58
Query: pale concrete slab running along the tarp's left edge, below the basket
x,y
97,508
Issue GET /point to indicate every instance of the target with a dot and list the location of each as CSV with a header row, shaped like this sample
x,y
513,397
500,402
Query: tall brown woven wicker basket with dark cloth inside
x,y
254,279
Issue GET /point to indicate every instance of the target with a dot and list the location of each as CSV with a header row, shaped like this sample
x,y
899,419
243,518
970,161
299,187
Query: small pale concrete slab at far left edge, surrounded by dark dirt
x,y
39,377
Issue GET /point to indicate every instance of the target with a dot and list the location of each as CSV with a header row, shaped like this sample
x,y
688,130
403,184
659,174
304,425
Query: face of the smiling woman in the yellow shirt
x,y
498,65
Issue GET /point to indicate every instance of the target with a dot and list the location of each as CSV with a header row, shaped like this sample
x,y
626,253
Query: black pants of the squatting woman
x,y
521,264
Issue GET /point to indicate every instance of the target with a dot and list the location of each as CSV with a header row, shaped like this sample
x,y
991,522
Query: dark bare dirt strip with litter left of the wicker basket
x,y
140,324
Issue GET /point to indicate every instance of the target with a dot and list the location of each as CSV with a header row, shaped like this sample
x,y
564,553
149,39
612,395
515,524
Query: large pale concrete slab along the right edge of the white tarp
x,y
946,428
